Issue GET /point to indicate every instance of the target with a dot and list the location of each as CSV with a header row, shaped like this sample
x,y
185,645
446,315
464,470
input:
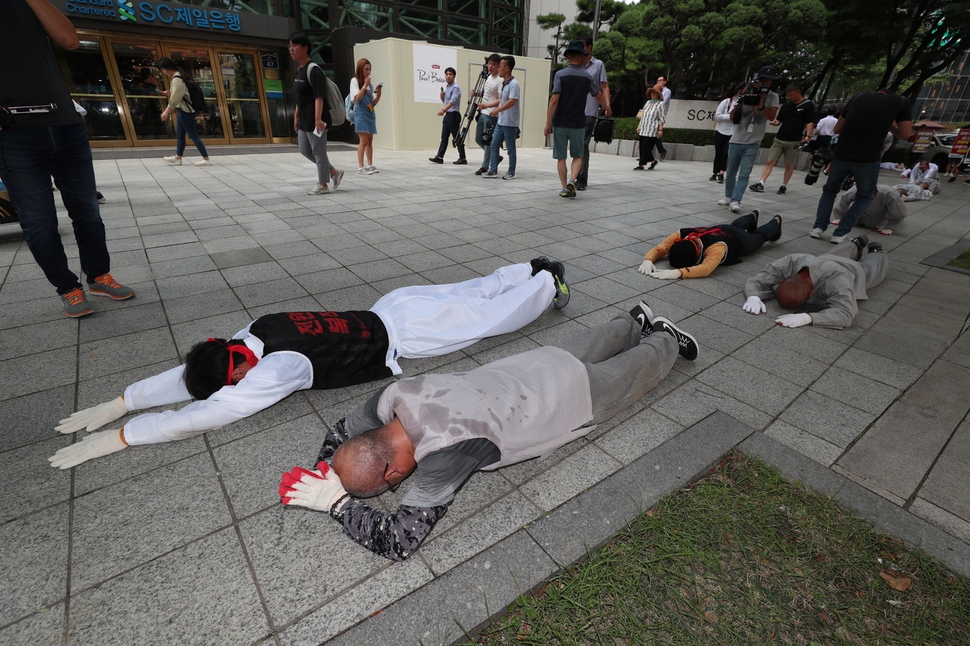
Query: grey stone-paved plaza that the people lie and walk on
x,y
187,543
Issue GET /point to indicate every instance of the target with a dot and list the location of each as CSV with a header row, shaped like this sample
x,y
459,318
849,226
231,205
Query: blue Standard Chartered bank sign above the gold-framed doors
x,y
154,13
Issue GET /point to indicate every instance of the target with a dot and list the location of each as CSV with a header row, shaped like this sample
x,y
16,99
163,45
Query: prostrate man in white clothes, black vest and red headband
x,y
278,354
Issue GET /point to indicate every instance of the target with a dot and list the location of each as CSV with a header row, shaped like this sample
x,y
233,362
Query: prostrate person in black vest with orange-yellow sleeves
x,y
695,252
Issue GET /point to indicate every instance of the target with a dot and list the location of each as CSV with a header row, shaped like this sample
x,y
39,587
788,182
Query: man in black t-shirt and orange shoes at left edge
x,y
42,136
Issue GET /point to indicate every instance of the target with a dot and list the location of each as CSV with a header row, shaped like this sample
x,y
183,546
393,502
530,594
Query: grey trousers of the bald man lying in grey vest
x,y
621,366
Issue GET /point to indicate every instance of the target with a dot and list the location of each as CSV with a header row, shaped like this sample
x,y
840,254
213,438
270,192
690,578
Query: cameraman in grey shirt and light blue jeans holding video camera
x,y
753,107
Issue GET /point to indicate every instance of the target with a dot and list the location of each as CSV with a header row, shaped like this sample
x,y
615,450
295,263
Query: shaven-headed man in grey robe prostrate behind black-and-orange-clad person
x,y
829,284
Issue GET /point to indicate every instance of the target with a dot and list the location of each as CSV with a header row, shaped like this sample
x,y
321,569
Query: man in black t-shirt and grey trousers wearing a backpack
x,y
312,117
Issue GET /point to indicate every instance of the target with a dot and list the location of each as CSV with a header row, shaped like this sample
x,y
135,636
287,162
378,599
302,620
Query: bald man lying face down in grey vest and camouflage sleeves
x,y
442,428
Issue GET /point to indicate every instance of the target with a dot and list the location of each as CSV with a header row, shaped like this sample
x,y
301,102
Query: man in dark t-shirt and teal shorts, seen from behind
x,y
566,117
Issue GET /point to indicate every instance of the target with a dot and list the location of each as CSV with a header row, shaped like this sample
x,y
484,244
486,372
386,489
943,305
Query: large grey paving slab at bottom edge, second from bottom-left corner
x,y
206,585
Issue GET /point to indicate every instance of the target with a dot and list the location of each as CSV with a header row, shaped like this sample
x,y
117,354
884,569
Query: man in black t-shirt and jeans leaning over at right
x,y
861,129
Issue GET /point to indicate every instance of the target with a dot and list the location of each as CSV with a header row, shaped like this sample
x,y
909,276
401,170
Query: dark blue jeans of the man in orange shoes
x,y
29,157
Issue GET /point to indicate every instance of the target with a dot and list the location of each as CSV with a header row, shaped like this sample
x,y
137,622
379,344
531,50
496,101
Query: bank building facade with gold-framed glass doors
x,y
236,51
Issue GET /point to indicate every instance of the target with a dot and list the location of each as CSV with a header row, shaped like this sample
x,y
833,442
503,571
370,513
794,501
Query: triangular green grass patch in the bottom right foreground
x,y
744,557
